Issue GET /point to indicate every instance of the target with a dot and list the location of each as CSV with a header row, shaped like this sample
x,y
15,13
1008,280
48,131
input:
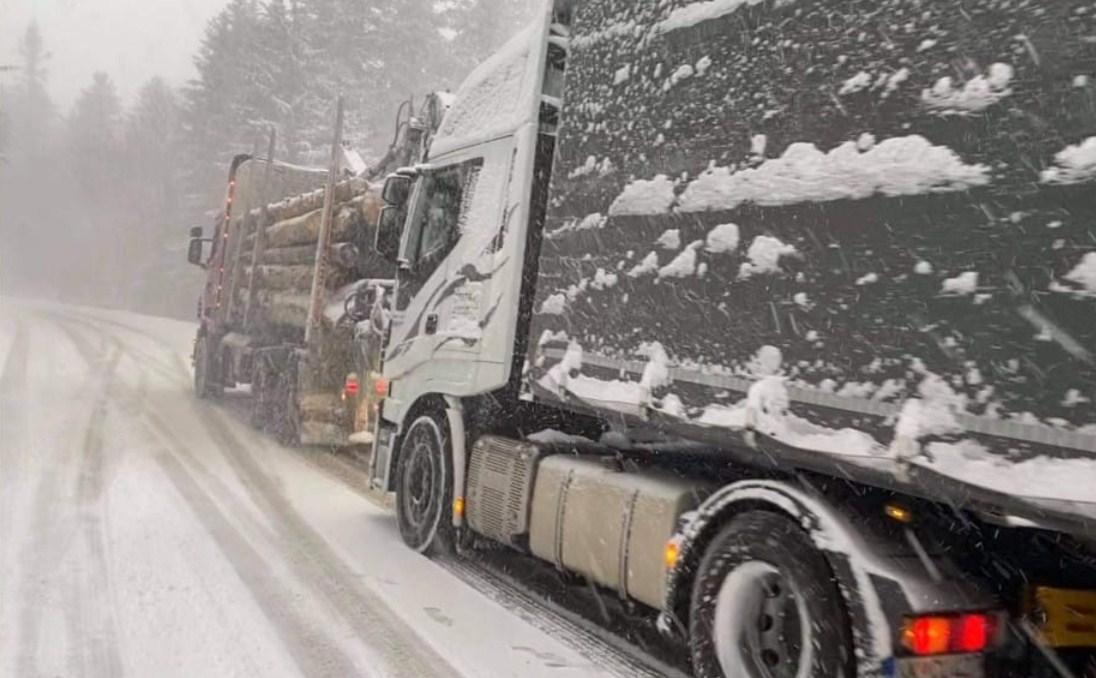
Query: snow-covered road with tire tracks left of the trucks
x,y
144,533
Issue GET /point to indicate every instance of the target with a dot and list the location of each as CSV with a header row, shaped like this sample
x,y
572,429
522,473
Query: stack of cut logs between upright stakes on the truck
x,y
283,277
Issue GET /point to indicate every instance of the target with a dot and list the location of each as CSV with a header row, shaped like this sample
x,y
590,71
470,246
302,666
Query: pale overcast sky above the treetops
x,y
131,40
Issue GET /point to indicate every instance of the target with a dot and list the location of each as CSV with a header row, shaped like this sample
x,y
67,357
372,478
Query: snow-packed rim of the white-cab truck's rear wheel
x,y
762,627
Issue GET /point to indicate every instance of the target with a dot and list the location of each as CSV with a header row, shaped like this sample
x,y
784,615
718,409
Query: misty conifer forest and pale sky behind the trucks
x,y
118,120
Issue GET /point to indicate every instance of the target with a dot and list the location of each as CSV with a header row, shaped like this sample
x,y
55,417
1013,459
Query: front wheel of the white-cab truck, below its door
x,y
425,488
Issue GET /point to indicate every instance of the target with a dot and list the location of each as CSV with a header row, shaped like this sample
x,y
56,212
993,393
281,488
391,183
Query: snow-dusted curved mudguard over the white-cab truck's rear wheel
x,y
831,533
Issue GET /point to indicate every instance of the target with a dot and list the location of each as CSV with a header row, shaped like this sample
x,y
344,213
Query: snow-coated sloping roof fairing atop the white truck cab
x,y
498,98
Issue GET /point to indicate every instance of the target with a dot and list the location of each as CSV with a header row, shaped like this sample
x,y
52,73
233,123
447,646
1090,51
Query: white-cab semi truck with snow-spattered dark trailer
x,y
775,318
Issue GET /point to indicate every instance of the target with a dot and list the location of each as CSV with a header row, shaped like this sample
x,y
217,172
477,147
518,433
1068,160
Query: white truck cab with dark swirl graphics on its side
x,y
464,231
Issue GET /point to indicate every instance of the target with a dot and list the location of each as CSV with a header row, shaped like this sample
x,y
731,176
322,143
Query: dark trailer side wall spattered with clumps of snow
x,y
862,234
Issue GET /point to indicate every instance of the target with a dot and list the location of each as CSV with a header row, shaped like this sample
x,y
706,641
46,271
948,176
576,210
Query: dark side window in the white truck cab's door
x,y
443,205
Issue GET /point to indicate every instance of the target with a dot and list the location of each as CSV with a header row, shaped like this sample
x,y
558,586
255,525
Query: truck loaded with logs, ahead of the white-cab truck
x,y
294,291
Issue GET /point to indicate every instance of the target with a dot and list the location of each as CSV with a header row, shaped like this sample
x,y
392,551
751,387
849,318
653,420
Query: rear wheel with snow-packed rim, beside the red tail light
x,y
764,583
